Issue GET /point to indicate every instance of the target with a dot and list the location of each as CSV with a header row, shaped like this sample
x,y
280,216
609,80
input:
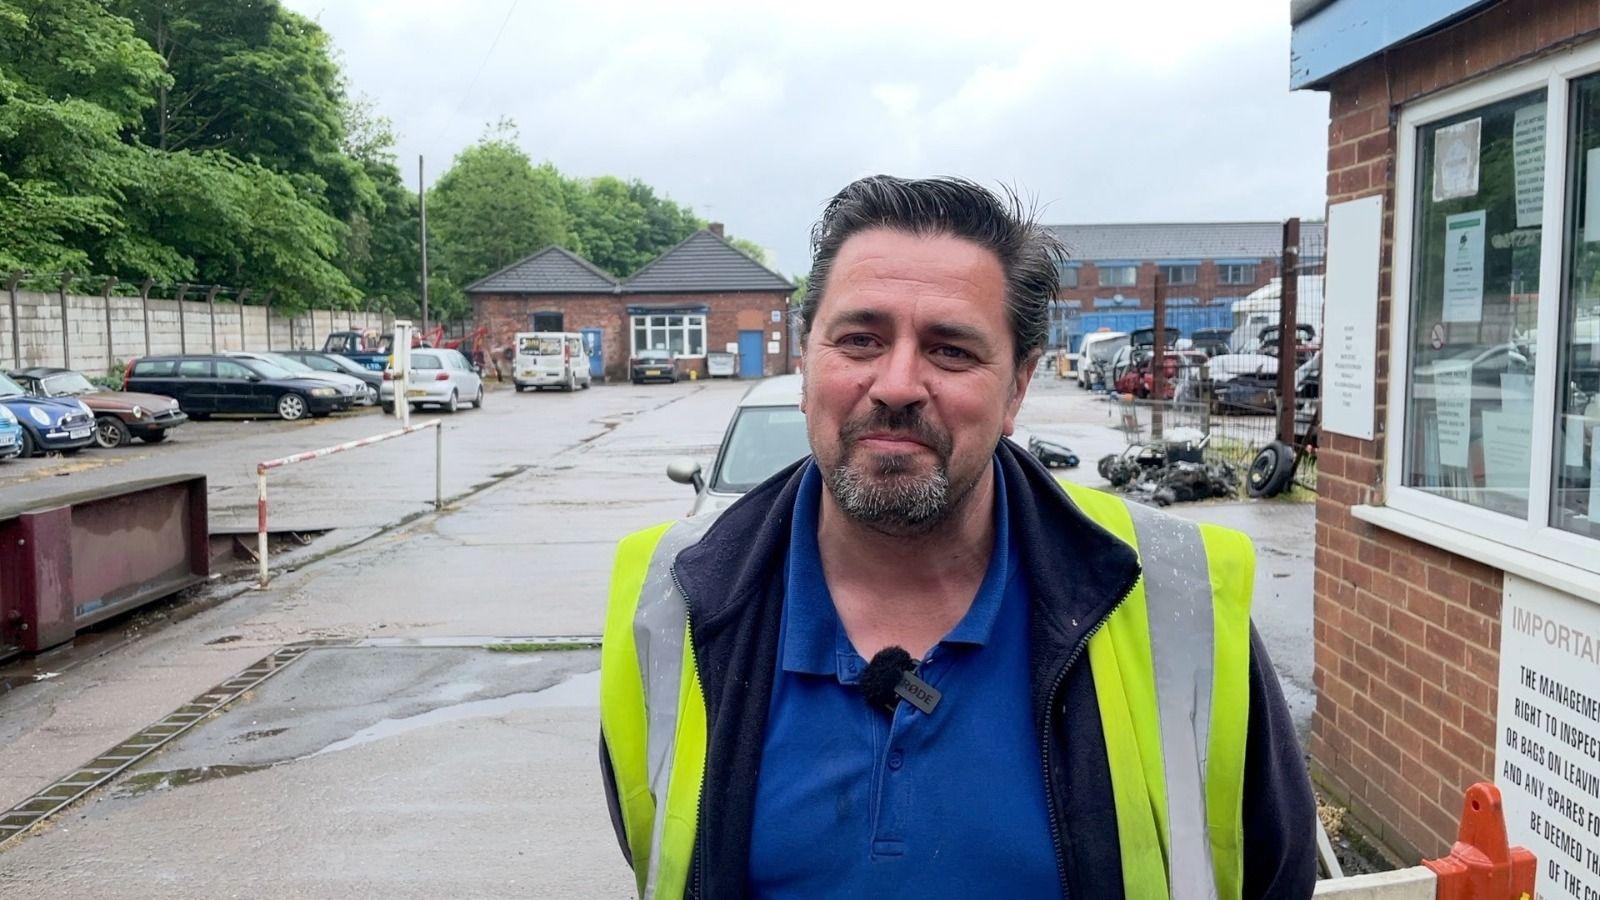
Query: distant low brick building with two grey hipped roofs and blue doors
x,y
700,297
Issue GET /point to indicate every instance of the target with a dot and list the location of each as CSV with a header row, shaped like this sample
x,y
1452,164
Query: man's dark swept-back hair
x,y
946,207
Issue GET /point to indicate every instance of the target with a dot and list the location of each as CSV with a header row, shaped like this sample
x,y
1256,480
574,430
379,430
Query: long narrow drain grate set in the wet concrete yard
x,y
31,813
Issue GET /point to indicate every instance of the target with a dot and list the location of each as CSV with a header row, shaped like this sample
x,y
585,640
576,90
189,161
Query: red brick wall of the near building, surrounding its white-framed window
x,y
1407,637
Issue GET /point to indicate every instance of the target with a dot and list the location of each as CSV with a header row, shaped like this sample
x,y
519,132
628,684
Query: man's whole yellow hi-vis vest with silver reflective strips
x,y
1172,680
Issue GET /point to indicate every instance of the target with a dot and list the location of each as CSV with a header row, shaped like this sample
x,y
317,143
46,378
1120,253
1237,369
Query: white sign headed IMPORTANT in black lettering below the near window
x,y
1548,734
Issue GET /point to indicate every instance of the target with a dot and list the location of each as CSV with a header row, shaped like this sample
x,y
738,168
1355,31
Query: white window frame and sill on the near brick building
x,y
1450,523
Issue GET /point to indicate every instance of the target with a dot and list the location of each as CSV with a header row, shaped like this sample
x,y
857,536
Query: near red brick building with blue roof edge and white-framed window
x,y
1458,524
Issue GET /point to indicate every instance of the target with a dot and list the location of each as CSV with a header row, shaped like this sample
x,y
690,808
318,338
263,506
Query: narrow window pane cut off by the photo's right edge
x,y
1577,478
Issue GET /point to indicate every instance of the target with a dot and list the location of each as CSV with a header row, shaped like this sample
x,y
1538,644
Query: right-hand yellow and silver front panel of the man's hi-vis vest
x,y
1180,646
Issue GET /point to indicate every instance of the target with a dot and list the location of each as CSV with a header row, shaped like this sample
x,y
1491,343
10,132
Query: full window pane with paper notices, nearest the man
x,y
1474,305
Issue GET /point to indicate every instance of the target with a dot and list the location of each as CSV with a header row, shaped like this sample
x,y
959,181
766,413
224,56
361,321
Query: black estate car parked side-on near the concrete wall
x,y
212,384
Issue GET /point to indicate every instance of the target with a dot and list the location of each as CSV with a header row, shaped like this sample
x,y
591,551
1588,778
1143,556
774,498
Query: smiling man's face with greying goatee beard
x,y
910,377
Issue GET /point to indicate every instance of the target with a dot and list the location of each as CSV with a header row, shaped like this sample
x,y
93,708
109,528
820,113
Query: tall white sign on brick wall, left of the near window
x,y
1350,342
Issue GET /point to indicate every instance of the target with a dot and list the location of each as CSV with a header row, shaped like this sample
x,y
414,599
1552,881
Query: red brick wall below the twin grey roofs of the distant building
x,y
508,315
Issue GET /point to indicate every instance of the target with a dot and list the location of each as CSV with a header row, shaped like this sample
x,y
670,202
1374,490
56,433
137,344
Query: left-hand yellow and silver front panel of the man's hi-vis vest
x,y
668,760
